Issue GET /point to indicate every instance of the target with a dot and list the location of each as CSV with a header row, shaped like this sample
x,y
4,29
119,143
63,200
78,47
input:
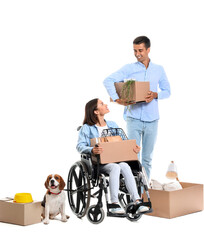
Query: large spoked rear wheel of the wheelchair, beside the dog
x,y
79,192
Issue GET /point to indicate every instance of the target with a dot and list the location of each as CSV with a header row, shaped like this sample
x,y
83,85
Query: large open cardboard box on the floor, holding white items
x,y
170,204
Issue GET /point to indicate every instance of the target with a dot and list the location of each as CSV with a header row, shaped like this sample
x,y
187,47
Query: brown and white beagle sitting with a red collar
x,y
54,200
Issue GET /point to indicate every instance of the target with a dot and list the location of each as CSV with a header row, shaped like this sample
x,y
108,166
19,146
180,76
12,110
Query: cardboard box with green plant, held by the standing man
x,y
138,91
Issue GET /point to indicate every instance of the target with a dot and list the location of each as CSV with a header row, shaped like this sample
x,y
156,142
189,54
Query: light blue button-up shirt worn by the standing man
x,y
155,74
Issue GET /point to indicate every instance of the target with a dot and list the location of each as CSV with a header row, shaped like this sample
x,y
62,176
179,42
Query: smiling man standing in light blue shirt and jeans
x,y
142,118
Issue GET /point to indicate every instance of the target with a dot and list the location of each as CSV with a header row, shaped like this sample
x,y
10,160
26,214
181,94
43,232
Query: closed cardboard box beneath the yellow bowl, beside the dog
x,y
20,213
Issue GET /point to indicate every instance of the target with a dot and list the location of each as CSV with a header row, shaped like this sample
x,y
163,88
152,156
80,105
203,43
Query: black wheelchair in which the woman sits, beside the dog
x,y
85,176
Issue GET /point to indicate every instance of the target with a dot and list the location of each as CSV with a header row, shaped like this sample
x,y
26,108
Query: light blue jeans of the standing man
x,y
147,132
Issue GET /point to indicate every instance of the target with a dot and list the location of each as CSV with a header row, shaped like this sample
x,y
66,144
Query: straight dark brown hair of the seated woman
x,y
90,117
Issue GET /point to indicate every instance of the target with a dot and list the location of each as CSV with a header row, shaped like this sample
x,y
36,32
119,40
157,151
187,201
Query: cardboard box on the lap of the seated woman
x,y
120,151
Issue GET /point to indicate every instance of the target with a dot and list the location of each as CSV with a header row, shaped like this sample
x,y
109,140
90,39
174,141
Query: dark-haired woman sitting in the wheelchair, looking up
x,y
93,125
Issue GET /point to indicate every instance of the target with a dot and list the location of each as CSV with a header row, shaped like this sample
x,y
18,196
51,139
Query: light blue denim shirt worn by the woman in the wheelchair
x,y
86,133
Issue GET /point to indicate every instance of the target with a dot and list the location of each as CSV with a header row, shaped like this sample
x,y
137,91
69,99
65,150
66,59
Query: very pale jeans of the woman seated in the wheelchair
x,y
114,170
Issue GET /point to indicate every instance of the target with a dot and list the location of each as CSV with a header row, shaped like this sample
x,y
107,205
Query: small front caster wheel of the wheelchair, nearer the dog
x,y
95,214
